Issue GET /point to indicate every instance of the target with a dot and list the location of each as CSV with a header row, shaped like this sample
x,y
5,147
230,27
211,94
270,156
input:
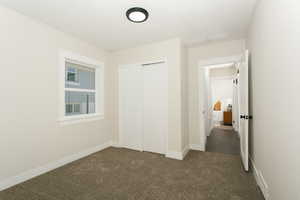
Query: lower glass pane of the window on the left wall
x,y
79,103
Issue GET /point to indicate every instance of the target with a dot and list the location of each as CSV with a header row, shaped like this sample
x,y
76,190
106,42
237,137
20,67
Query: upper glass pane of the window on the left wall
x,y
79,76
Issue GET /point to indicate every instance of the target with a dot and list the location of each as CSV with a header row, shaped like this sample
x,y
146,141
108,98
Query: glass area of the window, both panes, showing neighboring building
x,y
80,89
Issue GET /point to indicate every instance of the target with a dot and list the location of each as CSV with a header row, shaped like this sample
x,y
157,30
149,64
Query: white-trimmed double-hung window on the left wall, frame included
x,y
82,91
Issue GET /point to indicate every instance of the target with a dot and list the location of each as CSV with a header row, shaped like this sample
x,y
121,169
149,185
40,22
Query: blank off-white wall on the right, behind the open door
x,y
274,39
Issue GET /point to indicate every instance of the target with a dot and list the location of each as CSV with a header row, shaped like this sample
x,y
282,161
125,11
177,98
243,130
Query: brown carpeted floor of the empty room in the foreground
x,y
121,174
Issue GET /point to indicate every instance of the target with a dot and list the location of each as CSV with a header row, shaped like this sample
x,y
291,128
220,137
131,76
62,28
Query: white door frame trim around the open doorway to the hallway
x,y
206,63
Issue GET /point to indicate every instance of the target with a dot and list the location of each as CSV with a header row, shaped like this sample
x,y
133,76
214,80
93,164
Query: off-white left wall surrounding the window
x,y
30,134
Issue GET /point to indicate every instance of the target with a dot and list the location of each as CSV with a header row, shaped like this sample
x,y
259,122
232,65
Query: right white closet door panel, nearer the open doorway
x,y
155,109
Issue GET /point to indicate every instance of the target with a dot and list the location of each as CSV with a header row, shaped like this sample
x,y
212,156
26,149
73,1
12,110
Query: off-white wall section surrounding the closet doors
x,y
170,51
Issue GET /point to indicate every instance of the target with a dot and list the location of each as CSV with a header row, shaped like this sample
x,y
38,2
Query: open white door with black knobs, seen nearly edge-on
x,y
244,110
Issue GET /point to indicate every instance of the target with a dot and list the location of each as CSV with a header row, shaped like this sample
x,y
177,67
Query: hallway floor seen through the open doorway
x,y
223,139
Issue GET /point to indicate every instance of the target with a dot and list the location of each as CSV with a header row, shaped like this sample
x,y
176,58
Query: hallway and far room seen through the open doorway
x,y
220,113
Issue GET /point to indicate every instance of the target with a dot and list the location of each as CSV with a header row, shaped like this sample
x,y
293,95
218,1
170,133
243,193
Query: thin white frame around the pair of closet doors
x,y
166,135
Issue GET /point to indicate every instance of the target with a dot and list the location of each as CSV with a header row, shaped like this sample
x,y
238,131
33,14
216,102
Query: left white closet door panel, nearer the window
x,y
130,106
